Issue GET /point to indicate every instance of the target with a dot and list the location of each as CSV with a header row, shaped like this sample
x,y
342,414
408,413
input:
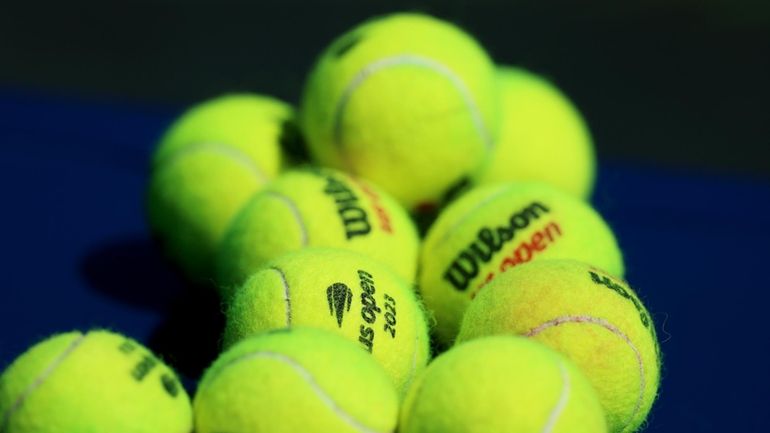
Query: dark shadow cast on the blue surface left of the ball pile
x,y
134,272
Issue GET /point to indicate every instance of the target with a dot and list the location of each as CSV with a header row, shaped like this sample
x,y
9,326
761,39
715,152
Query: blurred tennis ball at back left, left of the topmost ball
x,y
206,167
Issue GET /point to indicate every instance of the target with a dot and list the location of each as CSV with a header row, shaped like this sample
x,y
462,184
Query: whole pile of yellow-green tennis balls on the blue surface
x,y
509,314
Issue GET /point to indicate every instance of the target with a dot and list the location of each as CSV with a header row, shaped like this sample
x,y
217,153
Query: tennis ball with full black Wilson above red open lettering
x,y
497,227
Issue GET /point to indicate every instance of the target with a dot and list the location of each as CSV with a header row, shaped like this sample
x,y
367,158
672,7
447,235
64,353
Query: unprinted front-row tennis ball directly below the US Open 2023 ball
x,y
298,380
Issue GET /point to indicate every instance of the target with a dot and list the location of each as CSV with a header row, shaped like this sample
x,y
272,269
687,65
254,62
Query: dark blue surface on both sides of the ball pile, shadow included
x,y
76,254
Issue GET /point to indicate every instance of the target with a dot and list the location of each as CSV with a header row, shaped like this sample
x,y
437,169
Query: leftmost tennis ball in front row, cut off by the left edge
x,y
93,382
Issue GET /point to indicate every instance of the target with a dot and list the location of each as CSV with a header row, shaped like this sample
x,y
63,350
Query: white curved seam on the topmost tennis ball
x,y
411,60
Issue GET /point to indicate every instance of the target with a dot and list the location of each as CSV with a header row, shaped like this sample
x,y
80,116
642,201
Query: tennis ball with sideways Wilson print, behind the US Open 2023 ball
x,y
317,207
